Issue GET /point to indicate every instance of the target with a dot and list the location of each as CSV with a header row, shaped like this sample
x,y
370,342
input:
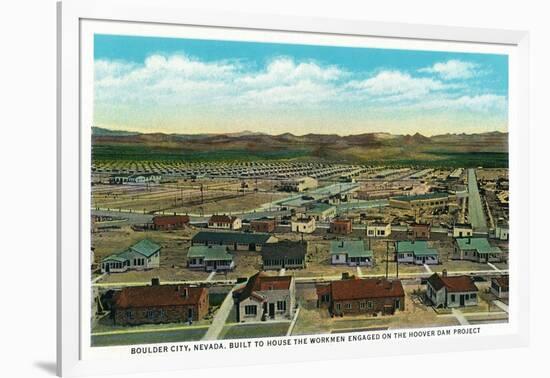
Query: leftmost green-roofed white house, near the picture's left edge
x,y
145,254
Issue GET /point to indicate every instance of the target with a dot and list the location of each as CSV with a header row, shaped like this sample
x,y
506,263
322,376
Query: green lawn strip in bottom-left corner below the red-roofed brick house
x,y
192,334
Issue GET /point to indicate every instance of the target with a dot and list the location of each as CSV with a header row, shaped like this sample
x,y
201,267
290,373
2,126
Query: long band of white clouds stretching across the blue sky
x,y
164,82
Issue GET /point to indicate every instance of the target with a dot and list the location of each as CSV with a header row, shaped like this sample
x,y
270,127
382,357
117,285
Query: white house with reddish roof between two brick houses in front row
x,y
265,298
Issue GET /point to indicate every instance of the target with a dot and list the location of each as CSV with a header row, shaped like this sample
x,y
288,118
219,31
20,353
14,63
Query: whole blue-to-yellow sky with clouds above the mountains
x,y
196,86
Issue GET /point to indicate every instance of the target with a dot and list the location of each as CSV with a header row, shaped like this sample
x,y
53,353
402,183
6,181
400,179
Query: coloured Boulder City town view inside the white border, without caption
x,y
248,189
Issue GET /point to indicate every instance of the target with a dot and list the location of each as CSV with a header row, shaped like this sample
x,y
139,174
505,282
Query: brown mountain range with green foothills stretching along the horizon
x,y
359,148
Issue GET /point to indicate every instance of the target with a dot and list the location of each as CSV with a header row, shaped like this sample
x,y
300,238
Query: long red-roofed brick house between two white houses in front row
x,y
361,296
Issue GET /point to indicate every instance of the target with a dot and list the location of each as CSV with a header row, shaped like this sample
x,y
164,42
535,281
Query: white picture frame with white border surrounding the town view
x,y
72,190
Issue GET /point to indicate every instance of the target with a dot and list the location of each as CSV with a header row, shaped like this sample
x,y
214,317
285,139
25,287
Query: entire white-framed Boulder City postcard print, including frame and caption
x,y
316,189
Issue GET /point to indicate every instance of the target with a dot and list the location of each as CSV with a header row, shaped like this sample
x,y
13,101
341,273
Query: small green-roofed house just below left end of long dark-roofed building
x,y
210,258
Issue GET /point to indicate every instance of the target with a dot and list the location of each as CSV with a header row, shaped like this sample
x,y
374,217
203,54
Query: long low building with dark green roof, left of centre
x,y
236,241
